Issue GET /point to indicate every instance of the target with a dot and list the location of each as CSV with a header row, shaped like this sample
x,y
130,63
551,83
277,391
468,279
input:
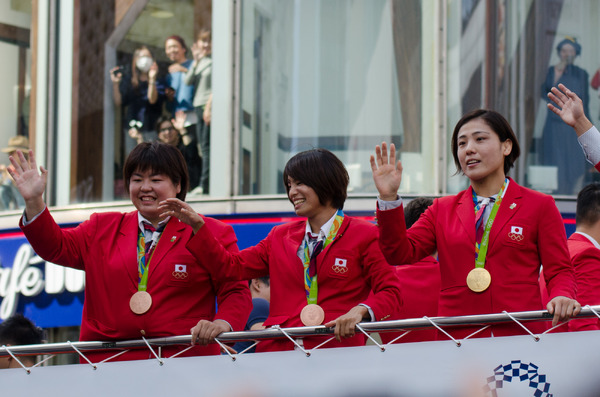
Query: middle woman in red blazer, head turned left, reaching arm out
x,y
307,287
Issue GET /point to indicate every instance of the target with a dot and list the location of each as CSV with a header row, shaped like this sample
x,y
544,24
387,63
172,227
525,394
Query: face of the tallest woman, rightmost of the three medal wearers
x,y
480,152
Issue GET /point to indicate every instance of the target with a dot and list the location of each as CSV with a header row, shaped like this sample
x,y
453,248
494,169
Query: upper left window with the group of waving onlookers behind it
x,y
150,84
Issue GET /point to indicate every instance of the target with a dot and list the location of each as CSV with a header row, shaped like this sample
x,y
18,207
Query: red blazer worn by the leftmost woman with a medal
x,y
105,246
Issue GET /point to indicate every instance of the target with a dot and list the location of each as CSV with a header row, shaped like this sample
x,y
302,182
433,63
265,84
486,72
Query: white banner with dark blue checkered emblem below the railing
x,y
562,364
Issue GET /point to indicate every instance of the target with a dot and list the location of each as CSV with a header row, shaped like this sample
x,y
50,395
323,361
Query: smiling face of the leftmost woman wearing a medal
x,y
146,190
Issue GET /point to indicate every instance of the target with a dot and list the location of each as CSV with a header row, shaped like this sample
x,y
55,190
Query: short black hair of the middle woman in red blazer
x,y
323,172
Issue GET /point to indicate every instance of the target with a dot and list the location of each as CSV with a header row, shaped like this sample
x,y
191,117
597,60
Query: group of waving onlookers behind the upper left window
x,y
171,105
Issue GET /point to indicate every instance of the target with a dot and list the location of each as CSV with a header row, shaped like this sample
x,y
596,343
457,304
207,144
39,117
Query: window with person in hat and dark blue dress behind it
x,y
506,55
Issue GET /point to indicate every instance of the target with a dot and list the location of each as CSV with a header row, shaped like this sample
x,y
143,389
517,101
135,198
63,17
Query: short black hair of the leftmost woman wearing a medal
x,y
159,158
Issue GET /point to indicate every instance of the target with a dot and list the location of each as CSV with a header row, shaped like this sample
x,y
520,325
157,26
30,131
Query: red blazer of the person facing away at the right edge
x,y
585,258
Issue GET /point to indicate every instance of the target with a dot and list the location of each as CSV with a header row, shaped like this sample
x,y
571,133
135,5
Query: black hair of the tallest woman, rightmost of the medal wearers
x,y
499,125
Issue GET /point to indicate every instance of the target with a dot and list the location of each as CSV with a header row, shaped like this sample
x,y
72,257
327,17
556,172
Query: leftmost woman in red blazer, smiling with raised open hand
x,y
176,293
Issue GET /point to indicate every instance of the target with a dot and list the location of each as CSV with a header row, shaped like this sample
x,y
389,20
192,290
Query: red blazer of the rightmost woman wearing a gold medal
x,y
513,262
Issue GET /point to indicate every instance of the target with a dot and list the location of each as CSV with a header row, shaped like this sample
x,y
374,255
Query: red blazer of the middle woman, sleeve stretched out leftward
x,y
276,256
